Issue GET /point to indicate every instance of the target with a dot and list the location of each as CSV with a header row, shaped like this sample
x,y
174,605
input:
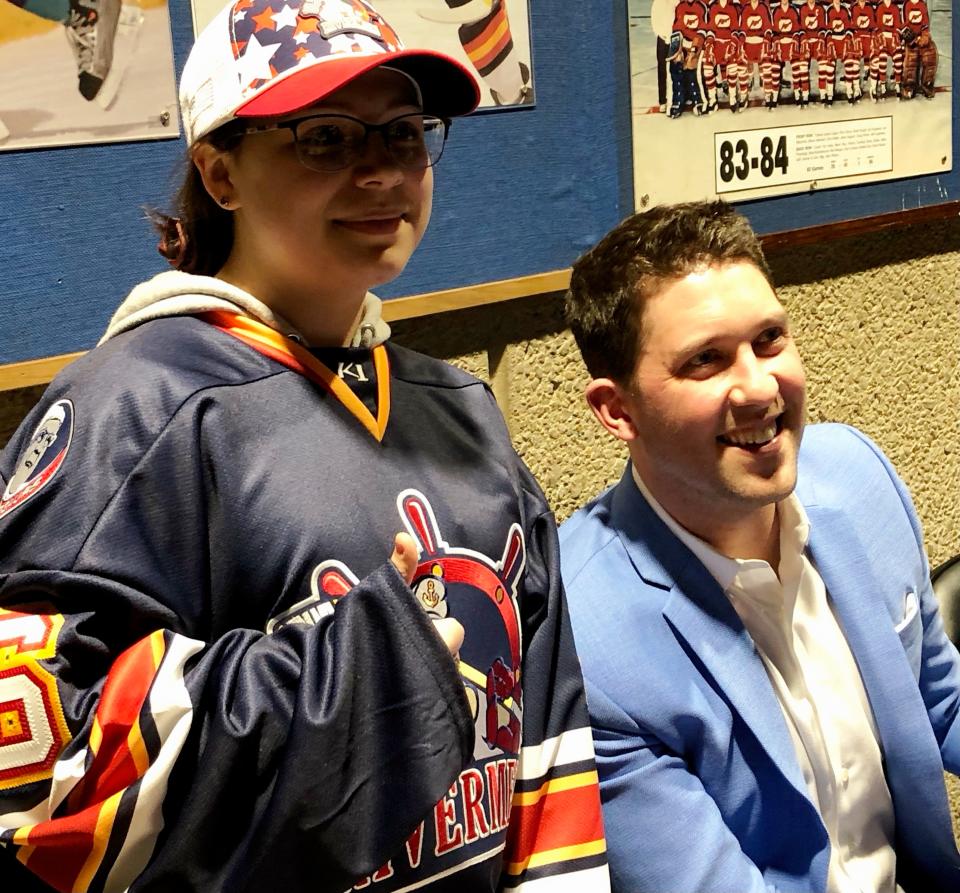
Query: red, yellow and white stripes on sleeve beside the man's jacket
x,y
556,827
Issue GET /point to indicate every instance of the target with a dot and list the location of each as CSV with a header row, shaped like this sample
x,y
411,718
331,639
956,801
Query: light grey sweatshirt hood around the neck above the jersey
x,y
183,294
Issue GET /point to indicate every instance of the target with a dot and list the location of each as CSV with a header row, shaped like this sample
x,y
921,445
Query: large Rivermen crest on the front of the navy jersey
x,y
469,823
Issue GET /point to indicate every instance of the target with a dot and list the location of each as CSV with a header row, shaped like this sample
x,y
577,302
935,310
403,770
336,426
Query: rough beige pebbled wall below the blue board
x,y
878,323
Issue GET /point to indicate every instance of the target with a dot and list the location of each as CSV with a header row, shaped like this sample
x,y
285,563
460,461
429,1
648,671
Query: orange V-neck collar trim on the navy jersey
x,y
272,344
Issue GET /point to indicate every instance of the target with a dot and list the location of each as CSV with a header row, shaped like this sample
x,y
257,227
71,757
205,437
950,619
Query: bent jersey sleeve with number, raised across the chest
x,y
144,746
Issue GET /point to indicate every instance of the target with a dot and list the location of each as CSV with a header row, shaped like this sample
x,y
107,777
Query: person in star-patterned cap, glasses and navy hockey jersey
x,y
217,681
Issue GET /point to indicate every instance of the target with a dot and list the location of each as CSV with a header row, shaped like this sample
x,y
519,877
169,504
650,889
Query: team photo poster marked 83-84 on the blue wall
x,y
754,99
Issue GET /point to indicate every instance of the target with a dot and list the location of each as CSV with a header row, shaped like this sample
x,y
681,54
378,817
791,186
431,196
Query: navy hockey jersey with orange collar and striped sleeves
x,y
210,676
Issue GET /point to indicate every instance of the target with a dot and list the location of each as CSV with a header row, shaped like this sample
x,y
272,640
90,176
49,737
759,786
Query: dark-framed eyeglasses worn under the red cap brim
x,y
335,142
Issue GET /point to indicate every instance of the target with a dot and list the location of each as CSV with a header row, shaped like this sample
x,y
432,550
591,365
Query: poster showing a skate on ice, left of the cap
x,y
85,71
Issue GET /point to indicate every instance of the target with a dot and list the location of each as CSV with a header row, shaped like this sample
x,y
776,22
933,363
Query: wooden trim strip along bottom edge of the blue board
x,y
37,372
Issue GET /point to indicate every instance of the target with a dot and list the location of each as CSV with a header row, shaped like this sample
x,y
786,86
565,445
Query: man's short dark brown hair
x,y
604,305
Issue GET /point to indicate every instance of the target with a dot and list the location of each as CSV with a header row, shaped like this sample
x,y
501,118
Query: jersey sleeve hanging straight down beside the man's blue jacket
x,y
555,839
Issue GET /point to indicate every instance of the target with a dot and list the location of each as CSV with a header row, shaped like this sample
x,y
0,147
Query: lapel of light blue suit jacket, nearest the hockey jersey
x,y
702,616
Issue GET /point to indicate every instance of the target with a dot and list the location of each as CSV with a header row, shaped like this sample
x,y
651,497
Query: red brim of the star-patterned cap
x,y
448,88
